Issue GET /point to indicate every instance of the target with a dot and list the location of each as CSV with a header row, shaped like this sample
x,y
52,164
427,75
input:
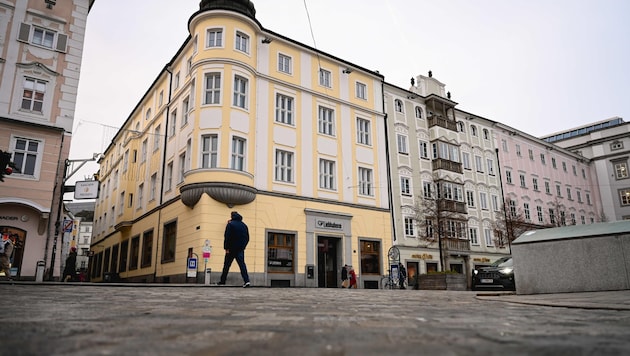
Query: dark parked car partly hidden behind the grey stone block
x,y
499,275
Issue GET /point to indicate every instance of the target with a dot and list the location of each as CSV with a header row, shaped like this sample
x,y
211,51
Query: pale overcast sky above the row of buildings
x,y
539,66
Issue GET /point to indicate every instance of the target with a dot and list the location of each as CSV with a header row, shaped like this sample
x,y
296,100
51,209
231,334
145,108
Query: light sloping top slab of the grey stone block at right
x,y
574,231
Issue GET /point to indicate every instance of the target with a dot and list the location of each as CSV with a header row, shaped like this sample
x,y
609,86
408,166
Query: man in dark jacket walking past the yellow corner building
x,y
235,240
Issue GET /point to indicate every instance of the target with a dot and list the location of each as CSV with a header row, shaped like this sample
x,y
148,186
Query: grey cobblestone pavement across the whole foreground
x,y
89,319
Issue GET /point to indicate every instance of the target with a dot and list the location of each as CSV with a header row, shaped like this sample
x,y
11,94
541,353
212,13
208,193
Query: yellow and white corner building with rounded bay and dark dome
x,y
244,119
